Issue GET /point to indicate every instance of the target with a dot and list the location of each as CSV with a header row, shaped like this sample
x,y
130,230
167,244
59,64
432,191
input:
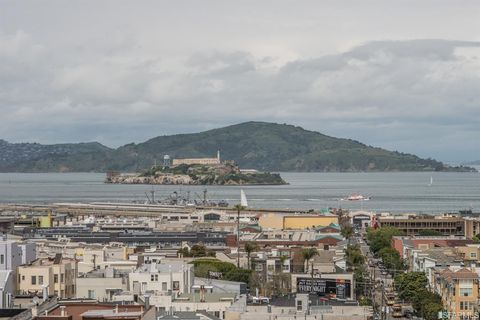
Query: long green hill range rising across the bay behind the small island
x,y
253,145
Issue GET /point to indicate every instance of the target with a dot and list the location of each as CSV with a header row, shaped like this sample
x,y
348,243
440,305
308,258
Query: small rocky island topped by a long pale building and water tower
x,y
207,171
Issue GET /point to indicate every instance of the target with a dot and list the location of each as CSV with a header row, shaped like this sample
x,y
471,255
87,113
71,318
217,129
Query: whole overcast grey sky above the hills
x,y
404,75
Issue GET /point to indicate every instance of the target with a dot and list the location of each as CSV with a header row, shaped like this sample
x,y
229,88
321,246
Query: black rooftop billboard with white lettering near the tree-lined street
x,y
338,288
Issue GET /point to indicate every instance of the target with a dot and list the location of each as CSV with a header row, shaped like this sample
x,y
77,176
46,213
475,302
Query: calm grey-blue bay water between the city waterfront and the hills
x,y
394,192
